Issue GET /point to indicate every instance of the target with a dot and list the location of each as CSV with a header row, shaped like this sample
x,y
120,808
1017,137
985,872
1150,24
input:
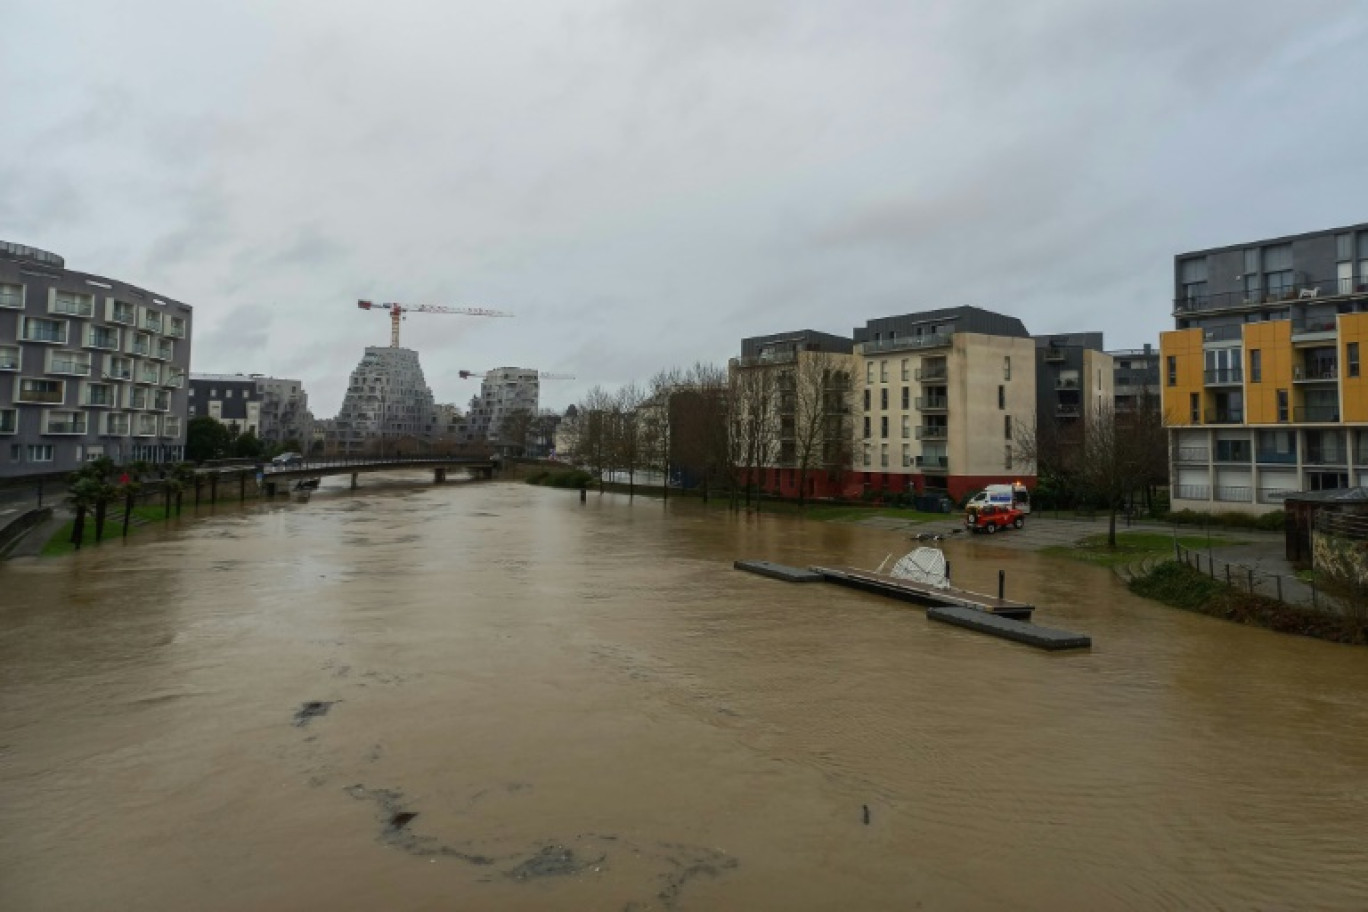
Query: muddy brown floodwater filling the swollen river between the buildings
x,y
496,698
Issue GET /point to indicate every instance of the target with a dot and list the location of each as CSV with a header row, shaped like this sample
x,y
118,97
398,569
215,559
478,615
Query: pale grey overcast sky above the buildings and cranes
x,y
645,184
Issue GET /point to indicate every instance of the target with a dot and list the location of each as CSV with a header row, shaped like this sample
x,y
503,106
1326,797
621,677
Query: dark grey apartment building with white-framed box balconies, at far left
x,y
90,367
